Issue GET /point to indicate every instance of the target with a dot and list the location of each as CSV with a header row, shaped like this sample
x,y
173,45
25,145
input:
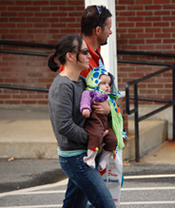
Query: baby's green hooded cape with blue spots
x,y
92,81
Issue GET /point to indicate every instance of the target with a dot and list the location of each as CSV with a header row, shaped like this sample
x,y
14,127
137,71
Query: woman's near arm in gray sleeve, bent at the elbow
x,y
61,108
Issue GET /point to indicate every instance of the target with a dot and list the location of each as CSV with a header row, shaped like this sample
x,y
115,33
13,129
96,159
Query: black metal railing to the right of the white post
x,y
135,83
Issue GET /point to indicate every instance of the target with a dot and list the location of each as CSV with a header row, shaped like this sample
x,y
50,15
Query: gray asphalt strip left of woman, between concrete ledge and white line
x,y
23,173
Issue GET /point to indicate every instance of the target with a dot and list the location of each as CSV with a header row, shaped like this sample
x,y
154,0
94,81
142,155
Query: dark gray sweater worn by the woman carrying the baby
x,y
66,118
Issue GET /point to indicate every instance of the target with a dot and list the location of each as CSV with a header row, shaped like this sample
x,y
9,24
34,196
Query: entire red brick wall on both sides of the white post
x,y
142,25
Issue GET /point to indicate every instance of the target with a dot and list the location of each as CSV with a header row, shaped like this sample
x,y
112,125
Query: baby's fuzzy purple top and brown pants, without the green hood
x,y
97,123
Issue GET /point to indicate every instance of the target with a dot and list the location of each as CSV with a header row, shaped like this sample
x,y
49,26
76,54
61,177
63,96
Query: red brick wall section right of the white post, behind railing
x,y
146,25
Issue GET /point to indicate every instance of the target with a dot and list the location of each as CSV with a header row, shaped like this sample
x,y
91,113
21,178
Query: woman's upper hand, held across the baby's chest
x,y
102,107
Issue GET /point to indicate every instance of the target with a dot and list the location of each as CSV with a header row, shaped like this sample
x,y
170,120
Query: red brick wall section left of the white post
x,y
39,21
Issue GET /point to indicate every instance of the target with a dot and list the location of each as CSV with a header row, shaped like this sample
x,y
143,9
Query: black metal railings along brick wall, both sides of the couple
x,y
128,97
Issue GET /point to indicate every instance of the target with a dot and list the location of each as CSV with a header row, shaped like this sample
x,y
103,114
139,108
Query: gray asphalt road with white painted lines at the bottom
x,y
146,185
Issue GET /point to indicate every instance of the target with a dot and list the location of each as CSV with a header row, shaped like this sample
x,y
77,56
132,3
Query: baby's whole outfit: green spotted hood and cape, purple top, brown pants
x,y
97,123
